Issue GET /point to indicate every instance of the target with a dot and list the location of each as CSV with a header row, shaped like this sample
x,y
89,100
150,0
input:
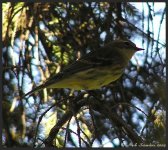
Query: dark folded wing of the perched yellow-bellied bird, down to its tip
x,y
98,58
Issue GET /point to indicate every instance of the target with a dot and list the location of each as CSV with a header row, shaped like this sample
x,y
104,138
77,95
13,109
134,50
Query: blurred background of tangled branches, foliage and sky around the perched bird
x,y
40,39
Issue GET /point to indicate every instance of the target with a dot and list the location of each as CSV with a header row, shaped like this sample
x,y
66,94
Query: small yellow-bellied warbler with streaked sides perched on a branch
x,y
95,69
